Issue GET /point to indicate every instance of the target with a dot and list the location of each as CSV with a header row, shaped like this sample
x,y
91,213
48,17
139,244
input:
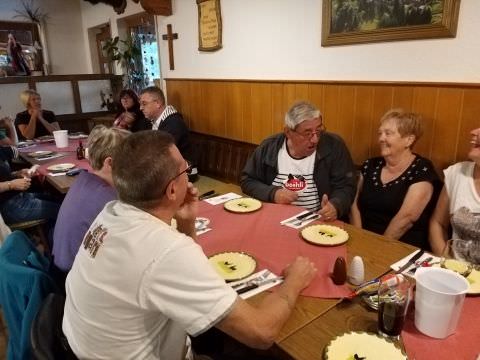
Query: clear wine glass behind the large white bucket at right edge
x,y
461,256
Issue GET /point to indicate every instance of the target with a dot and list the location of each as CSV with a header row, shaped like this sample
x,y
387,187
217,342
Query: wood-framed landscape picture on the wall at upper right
x,y
363,21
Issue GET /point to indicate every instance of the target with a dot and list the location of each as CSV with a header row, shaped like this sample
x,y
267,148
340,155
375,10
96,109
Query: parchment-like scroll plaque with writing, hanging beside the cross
x,y
209,25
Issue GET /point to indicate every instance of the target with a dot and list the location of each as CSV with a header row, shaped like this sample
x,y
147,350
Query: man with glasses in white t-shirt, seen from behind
x,y
138,285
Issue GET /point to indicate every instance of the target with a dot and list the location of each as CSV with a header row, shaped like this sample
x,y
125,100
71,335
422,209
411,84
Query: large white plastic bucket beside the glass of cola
x,y
438,301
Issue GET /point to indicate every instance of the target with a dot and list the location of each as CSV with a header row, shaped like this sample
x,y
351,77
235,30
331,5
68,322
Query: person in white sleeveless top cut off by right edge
x,y
459,201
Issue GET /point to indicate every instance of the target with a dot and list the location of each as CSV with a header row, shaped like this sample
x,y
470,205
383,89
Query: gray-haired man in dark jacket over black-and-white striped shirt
x,y
304,165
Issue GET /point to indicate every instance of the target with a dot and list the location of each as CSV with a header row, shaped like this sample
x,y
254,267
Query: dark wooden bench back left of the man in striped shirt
x,y
220,158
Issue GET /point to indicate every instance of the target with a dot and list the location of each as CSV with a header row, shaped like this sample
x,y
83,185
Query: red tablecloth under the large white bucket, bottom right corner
x,y
464,344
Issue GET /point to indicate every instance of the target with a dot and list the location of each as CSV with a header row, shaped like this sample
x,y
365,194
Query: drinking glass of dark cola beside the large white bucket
x,y
394,295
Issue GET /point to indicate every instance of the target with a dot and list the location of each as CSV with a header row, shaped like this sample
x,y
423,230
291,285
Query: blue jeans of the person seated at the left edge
x,y
27,206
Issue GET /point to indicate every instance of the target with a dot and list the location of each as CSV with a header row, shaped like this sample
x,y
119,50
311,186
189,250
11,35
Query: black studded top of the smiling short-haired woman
x,y
379,203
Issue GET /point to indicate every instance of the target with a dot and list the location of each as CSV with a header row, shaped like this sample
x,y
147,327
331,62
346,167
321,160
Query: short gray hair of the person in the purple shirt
x,y
102,143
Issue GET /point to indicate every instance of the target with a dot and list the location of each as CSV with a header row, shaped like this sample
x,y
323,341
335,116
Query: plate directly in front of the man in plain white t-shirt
x,y
233,266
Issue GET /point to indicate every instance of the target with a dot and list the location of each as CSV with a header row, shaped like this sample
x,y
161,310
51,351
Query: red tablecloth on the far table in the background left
x,y
70,153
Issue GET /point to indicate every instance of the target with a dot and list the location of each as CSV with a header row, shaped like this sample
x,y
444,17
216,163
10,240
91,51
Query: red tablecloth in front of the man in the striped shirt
x,y
273,245
